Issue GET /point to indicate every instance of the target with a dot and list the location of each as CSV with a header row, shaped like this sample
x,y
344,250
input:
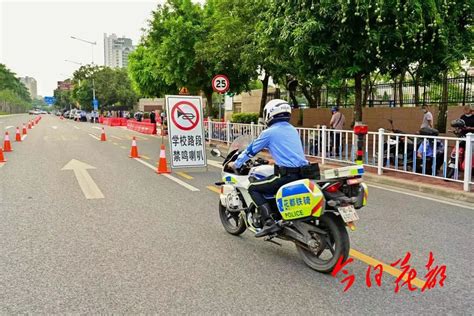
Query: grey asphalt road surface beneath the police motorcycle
x,y
151,245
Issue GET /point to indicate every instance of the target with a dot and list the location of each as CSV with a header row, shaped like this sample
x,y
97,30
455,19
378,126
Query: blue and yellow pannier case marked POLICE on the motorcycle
x,y
300,199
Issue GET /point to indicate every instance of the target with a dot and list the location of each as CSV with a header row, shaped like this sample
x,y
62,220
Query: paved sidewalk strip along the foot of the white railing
x,y
406,181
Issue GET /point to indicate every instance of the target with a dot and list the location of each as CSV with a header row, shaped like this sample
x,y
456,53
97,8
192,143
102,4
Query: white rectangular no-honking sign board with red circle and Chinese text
x,y
186,131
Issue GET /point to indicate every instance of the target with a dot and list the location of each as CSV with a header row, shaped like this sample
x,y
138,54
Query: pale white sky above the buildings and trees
x,y
35,35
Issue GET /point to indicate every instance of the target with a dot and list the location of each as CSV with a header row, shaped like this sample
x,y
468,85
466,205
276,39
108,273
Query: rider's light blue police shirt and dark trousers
x,y
284,144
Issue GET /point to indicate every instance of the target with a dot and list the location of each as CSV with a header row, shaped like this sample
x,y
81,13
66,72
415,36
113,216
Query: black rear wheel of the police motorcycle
x,y
323,253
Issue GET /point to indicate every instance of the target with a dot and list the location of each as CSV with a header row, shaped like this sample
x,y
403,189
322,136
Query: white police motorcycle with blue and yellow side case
x,y
312,213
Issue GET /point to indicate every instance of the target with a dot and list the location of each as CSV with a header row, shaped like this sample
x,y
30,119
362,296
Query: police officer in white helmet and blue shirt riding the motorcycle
x,y
284,144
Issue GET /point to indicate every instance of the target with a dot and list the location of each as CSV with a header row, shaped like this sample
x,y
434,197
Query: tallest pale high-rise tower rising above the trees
x,y
116,51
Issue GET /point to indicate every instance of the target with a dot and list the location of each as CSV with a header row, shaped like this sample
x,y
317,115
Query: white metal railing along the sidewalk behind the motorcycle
x,y
446,158
